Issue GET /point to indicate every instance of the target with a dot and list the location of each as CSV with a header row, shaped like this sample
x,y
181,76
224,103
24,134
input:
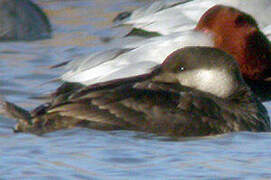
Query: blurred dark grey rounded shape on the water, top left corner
x,y
23,20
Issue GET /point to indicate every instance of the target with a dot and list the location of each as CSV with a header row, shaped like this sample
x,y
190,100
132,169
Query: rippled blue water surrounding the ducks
x,y
79,26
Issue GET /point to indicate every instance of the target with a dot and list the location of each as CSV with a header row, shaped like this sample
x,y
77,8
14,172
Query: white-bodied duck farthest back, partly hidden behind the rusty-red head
x,y
165,17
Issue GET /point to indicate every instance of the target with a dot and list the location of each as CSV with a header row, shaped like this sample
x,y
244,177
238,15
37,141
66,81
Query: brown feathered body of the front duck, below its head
x,y
144,106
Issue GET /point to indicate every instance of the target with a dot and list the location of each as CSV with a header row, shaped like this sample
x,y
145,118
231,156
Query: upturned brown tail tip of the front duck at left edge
x,y
13,111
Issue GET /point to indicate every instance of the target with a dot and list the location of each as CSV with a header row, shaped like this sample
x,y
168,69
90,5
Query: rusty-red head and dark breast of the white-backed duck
x,y
238,34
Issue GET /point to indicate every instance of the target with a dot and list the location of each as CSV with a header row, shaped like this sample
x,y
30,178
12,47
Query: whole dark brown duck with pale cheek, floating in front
x,y
196,91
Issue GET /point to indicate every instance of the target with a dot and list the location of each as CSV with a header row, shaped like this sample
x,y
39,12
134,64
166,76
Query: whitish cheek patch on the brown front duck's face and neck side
x,y
214,81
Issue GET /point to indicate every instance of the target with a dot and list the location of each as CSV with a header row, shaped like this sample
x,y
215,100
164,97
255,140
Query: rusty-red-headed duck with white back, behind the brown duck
x,y
224,27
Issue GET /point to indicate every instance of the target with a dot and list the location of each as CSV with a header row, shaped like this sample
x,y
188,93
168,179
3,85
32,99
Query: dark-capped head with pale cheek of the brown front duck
x,y
206,69
